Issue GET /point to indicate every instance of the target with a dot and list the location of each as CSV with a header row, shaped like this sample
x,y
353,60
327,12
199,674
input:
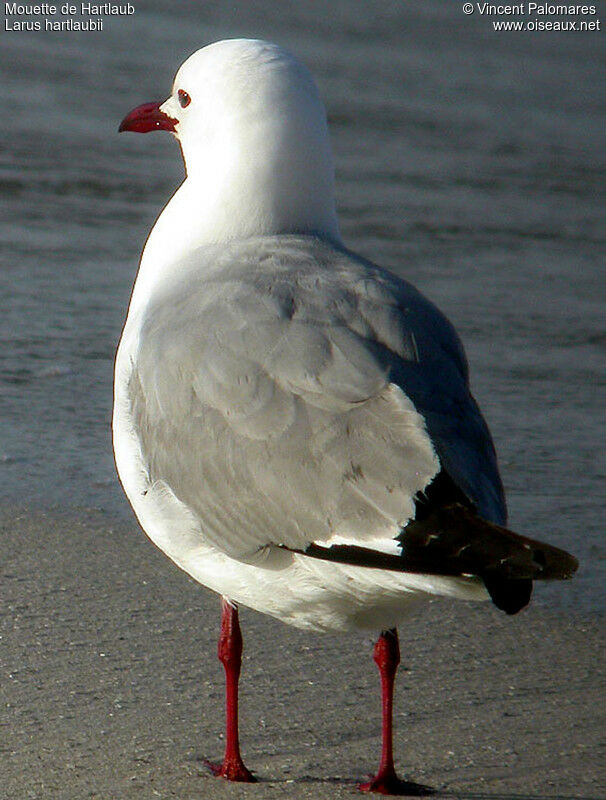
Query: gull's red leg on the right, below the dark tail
x,y
387,657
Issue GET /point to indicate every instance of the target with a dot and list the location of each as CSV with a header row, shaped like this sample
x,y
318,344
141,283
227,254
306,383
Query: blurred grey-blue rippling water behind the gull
x,y
469,161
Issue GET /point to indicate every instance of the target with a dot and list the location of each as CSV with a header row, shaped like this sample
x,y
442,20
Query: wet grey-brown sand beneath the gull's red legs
x,y
111,688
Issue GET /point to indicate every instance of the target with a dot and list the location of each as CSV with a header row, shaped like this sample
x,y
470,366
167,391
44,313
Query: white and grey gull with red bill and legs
x,y
293,424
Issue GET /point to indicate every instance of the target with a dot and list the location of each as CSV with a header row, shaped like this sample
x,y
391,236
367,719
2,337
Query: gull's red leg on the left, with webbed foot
x,y
229,653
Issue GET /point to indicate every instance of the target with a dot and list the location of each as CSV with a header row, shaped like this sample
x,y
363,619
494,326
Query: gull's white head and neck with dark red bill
x,y
253,133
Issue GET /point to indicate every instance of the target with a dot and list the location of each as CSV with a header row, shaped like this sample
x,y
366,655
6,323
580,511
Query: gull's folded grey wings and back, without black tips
x,y
274,400
